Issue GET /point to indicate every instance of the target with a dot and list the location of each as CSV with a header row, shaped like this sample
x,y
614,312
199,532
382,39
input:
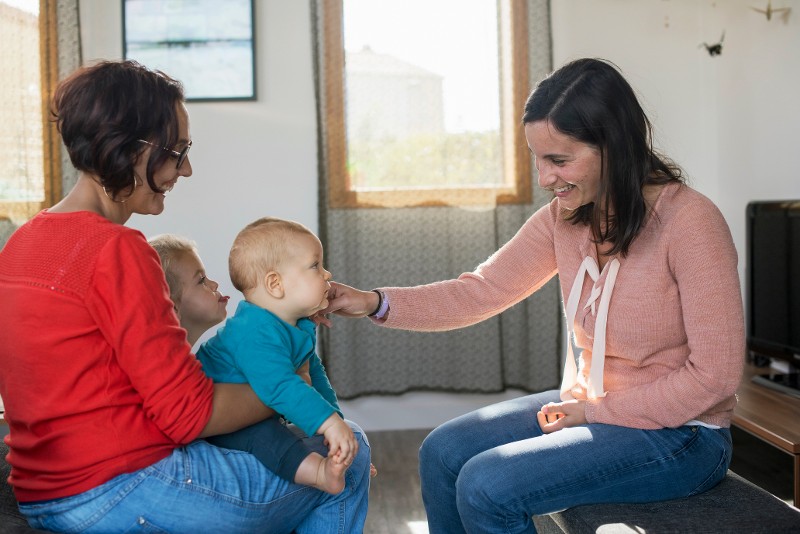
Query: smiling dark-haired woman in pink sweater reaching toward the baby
x,y
648,275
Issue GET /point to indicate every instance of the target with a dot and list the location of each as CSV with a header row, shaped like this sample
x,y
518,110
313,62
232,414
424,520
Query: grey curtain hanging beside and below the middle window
x,y
369,248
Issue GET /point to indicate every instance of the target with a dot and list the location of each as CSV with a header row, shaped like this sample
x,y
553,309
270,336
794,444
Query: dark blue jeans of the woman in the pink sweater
x,y
491,470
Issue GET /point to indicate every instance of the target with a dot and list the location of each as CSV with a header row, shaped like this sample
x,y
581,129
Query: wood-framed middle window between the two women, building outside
x,y
422,102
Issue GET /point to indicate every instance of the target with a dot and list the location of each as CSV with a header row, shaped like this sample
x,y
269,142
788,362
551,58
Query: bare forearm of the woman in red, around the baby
x,y
235,406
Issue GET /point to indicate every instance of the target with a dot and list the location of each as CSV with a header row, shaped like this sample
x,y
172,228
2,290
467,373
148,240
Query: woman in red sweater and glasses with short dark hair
x,y
103,398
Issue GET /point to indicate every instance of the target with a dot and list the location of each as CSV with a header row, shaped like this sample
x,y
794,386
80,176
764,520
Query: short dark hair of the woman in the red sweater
x,y
104,109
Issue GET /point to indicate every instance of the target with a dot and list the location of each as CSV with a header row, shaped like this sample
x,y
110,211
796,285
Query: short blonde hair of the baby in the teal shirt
x,y
259,248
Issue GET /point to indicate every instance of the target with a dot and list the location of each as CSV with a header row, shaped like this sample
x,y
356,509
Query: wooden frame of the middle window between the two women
x,y
513,19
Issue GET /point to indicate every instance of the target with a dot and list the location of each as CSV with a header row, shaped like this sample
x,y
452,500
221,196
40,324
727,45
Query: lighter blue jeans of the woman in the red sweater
x,y
203,488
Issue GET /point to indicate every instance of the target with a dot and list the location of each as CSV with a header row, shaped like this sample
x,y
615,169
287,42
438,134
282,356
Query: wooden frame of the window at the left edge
x,y
51,142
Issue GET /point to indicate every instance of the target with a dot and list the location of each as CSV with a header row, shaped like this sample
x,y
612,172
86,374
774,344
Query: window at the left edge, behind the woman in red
x,y
30,160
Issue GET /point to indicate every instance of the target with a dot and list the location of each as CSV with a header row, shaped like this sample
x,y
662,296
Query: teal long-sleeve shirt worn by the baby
x,y
257,347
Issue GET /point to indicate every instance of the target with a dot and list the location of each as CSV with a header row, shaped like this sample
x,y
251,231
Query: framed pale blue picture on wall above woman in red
x,y
209,45
